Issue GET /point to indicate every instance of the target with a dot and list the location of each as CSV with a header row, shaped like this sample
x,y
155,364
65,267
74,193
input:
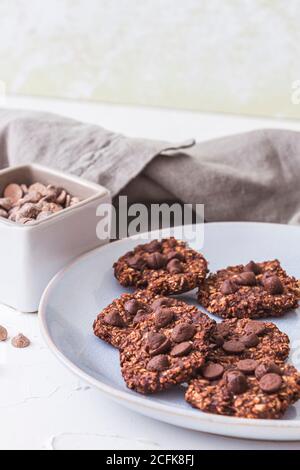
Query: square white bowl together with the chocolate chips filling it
x,y
40,234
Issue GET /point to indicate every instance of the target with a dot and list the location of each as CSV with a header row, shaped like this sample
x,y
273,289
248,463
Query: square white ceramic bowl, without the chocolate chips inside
x,y
32,254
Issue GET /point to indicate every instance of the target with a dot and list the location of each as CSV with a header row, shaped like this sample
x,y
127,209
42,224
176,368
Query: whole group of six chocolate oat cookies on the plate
x,y
234,368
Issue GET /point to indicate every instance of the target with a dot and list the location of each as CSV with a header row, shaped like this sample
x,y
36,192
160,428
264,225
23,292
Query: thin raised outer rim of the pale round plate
x,y
140,400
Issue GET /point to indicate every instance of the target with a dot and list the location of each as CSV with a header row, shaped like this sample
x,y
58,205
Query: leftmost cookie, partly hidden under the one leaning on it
x,y
116,321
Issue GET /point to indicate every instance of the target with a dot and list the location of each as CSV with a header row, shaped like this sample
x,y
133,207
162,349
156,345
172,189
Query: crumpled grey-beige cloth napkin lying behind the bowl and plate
x,y
247,177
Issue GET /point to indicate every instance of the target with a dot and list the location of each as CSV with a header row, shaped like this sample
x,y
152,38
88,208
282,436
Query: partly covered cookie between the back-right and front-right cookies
x,y
235,340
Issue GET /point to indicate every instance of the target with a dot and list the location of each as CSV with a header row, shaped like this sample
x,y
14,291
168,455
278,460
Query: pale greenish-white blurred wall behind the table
x,y
239,56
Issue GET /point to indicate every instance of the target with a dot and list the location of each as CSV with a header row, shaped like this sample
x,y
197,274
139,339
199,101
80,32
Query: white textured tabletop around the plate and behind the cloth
x,y
43,406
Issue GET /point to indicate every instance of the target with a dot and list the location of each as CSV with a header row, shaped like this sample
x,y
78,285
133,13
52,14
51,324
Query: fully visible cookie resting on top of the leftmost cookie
x,y
167,350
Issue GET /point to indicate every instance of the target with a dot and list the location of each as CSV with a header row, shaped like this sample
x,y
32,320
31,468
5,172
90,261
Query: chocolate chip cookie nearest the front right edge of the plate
x,y
243,392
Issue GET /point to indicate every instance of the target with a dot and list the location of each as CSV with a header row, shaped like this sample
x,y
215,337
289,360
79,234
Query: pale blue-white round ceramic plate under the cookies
x,y
75,296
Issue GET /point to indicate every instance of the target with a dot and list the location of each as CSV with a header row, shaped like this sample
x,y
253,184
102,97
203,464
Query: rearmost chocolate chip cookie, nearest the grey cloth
x,y
166,267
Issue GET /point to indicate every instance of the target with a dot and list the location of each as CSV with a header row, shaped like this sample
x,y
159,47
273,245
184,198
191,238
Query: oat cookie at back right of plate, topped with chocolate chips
x,y
257,290
